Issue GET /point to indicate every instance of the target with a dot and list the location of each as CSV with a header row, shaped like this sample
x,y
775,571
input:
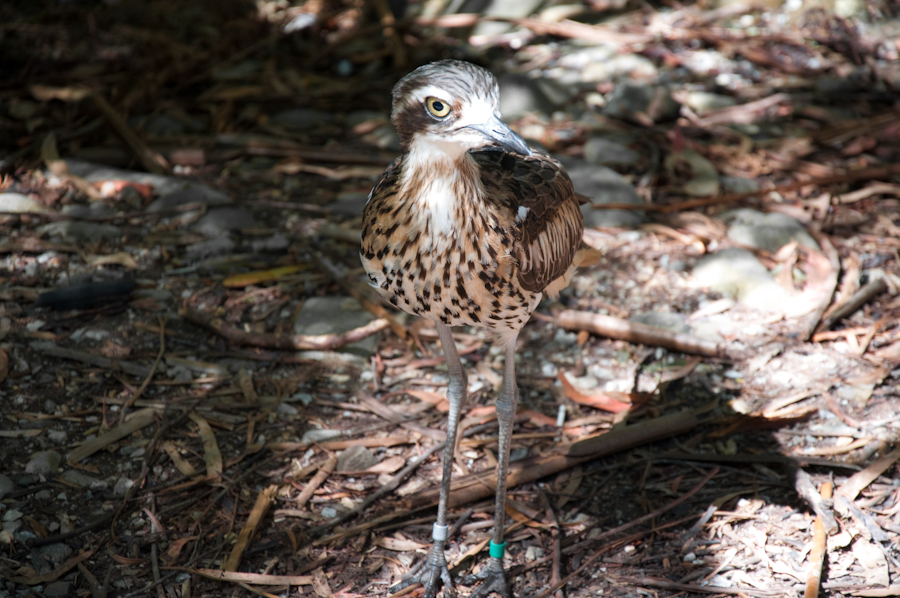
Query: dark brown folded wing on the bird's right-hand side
x,y
538,194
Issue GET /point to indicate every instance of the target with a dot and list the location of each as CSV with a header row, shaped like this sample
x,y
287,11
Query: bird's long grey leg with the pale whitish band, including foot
x,y
434,568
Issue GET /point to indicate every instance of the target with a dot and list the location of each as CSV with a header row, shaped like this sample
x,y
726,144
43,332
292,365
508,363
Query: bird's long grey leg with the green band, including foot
x,y
492,574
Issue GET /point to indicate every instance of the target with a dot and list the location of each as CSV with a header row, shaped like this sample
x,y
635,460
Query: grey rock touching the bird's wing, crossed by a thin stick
x,y
604,185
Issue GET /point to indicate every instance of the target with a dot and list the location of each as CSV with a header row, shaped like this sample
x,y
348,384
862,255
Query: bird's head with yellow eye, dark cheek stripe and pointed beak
x,y
452,107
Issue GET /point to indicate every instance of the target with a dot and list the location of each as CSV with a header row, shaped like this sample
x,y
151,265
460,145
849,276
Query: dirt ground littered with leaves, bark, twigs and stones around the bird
x,y
201,398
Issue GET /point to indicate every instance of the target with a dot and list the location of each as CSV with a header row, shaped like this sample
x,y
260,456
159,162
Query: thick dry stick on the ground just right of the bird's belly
x,y
636,332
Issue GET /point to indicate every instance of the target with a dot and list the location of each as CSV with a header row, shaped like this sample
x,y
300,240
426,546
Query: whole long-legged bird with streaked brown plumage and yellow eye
x,y
468,227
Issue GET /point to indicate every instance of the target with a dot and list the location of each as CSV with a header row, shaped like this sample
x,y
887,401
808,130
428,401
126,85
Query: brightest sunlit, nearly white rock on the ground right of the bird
x,y
737,273
